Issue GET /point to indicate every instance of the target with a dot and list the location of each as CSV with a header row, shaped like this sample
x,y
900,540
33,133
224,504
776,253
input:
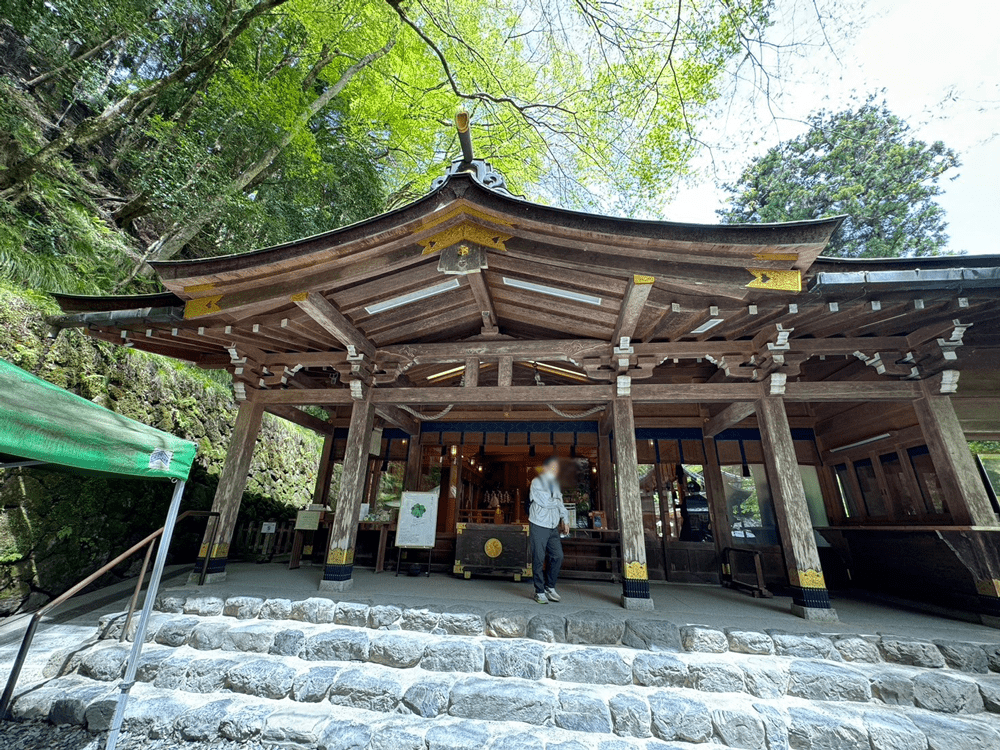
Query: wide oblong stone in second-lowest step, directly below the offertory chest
x,y
502,700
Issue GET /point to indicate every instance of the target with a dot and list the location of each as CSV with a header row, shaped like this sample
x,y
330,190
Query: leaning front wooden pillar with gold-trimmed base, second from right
x,y
810,598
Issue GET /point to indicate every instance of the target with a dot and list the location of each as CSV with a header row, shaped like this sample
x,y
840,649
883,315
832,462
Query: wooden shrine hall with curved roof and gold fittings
x,y
818,408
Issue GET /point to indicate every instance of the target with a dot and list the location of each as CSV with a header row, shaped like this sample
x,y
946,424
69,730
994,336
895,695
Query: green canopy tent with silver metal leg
x,y
42,424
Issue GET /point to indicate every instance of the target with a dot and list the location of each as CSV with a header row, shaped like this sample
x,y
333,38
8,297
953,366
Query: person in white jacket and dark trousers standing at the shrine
x,y
547,517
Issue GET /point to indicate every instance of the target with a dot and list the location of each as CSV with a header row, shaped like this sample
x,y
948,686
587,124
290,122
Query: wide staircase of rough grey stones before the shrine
x,y
349,676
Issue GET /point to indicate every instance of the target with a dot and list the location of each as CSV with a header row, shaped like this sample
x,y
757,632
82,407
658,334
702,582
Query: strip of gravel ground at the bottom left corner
x,y
35,735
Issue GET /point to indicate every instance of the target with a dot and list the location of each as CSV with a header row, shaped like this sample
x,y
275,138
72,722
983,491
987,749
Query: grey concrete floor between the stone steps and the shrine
x,y
683,604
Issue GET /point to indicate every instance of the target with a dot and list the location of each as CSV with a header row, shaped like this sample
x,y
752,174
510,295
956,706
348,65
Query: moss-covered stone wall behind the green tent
x,y
57,527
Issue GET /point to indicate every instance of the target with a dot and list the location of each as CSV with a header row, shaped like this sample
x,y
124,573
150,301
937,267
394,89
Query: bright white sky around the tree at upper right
x,y
940,67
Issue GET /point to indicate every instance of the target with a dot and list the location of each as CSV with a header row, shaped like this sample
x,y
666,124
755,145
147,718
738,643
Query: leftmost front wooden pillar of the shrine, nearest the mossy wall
x,y
229,493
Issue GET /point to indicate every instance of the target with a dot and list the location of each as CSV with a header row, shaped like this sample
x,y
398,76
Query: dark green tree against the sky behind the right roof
x,y
863,163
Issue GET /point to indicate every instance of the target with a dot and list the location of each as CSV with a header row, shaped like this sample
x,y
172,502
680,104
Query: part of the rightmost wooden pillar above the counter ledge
x,y
968,502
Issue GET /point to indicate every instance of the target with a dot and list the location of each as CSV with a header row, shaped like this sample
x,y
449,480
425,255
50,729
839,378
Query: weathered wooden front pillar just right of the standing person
x,y
635,572
